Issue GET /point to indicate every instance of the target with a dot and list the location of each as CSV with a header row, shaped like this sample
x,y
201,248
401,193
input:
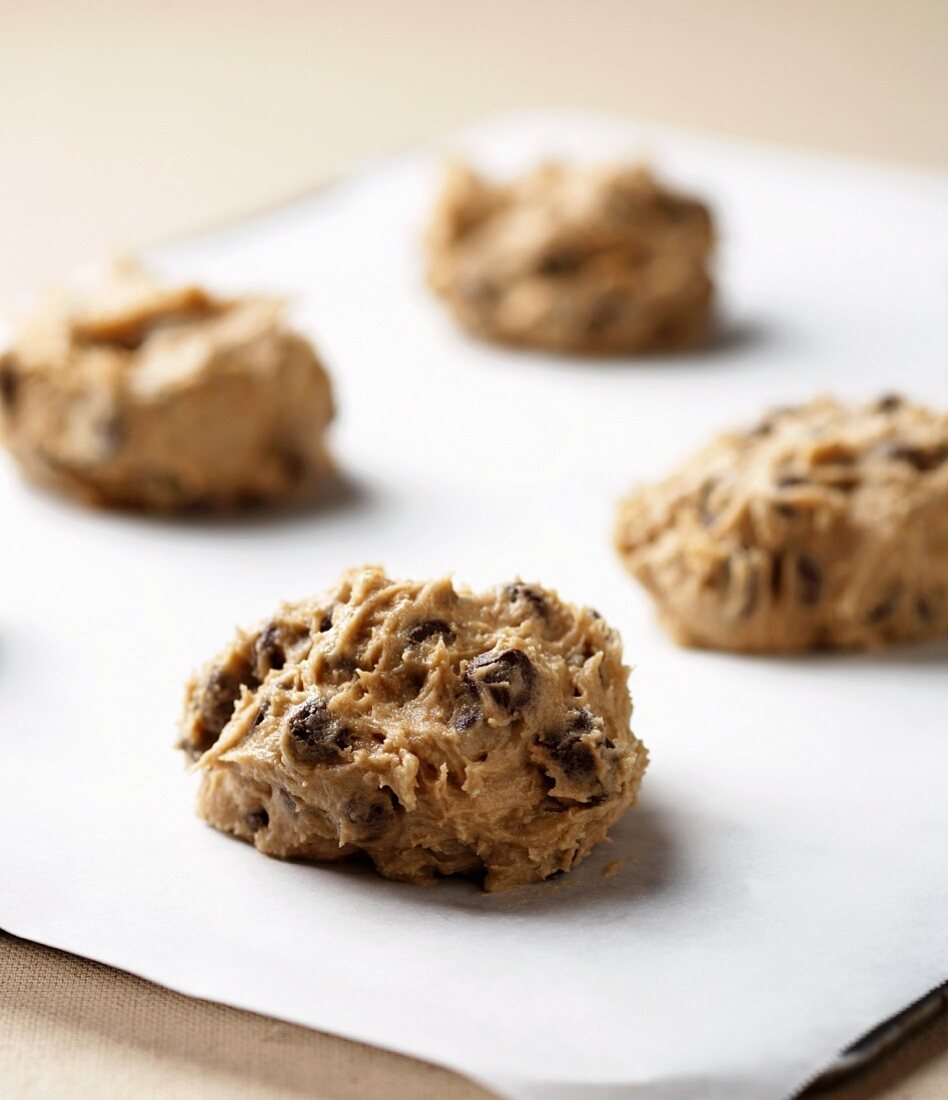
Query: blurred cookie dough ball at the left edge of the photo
x,y
135,395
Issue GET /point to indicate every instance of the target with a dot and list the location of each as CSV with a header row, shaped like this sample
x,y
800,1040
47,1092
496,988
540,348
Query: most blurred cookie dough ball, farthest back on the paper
x,y
596,261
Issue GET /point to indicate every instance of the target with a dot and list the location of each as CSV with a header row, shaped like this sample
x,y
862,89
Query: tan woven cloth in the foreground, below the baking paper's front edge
x,y
71,1028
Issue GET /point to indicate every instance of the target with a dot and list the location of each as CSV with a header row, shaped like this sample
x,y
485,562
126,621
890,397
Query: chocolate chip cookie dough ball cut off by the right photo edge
x,y
822,526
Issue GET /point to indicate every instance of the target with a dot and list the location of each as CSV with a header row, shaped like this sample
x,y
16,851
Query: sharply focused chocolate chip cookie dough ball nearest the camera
x,y
434,730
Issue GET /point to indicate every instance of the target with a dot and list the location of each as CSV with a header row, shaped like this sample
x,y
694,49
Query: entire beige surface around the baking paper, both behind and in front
x,y
126,123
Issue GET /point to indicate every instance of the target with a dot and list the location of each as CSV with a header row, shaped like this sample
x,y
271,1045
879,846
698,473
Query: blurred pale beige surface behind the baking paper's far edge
x,y
127,120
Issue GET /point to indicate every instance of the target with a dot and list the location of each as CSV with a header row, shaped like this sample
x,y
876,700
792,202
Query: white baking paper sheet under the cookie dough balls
x,y
785,882
